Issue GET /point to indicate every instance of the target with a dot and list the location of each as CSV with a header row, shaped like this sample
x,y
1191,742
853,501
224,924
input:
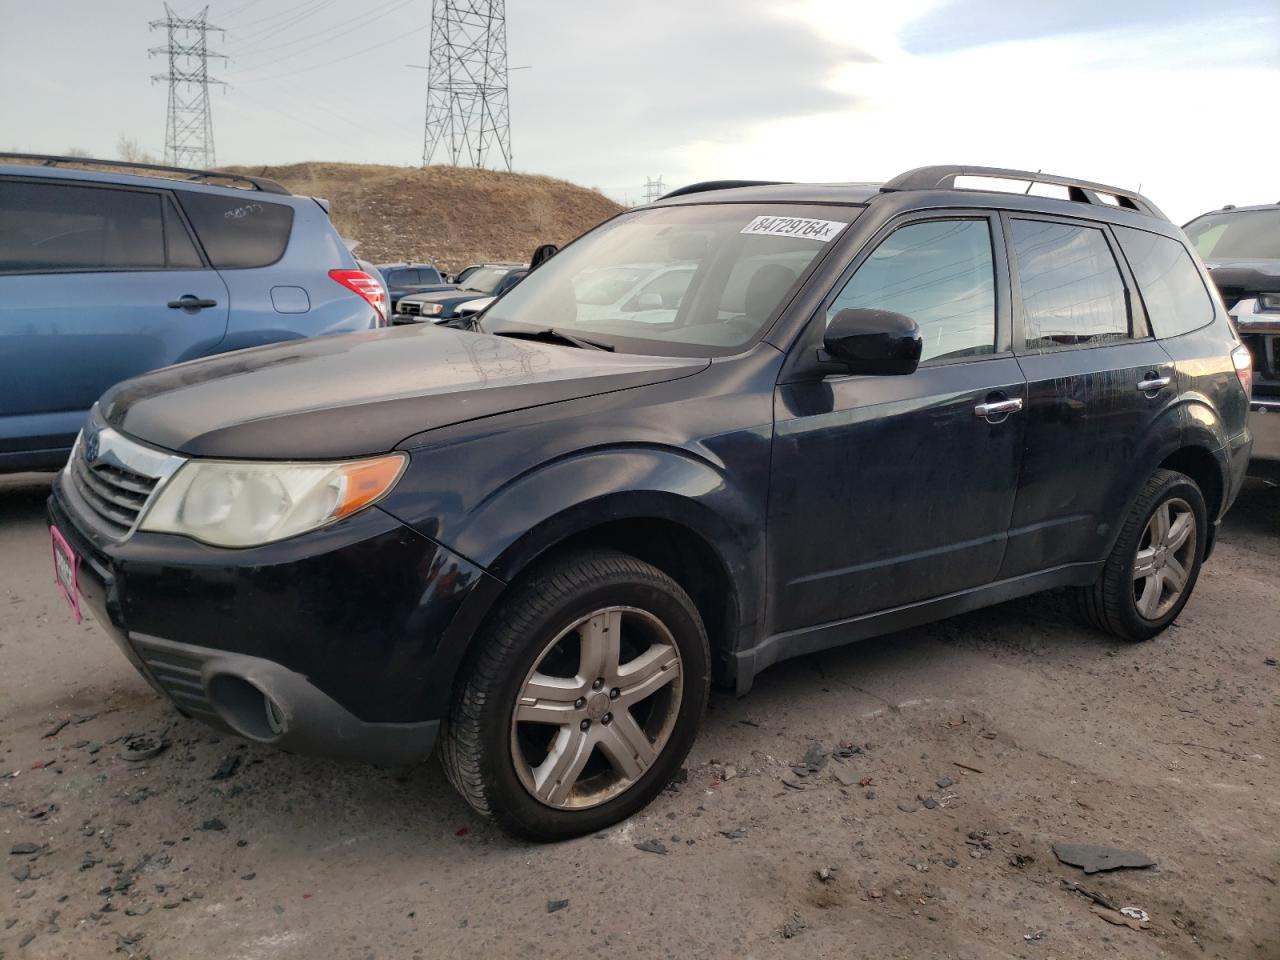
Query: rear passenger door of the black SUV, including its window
x,y
1098,381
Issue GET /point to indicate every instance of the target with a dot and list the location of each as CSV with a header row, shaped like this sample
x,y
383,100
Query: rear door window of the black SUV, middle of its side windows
x,y
1072,290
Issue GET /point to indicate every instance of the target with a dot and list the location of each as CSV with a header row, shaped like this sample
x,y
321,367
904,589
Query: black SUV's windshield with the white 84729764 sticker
x,y
679,281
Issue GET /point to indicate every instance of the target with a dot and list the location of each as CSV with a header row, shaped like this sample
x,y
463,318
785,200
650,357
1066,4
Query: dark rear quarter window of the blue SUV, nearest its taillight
x,y
239,232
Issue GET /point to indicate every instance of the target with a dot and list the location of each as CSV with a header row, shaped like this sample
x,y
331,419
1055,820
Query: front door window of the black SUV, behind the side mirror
x,y
939,273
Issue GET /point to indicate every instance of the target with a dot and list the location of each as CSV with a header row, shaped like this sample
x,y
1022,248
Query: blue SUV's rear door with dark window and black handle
x,y
98,284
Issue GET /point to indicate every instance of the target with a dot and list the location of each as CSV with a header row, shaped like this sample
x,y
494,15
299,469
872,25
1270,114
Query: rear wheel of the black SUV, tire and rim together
x,y
1153,569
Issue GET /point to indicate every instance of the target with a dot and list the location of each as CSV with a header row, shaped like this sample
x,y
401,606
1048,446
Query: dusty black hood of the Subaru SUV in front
x,y
363,394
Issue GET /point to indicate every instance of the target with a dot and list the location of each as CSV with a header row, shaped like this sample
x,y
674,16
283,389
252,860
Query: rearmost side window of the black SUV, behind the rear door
x,y
1171,285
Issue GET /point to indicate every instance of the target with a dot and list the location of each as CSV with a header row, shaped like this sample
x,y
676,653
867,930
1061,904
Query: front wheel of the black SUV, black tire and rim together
x,y
578,766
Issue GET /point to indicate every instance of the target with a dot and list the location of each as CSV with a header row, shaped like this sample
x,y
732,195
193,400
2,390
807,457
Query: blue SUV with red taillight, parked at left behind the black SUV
x,y
106,276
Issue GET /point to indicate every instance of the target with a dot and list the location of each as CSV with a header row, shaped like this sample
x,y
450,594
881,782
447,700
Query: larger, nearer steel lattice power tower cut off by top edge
x,y
468,113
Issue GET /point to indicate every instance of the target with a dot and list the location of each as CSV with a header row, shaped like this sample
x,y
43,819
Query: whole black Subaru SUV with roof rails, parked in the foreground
x,y
866,408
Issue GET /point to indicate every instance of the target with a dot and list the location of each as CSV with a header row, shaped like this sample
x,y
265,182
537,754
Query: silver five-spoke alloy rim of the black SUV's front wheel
x,y
597,708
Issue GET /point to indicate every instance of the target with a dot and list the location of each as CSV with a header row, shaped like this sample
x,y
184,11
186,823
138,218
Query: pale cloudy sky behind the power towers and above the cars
x,y
1173,97
